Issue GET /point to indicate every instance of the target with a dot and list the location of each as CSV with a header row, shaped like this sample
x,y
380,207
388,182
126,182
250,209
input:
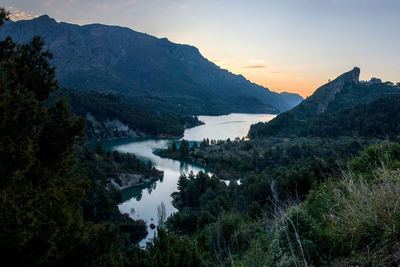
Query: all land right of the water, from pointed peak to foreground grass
x,y
314,188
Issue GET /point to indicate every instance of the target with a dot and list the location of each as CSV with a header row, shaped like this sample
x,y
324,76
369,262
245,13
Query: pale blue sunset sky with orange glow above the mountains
x,y
285,45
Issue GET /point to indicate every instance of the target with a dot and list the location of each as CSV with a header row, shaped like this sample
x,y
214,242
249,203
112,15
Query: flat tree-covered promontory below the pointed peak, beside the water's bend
x,y
233,159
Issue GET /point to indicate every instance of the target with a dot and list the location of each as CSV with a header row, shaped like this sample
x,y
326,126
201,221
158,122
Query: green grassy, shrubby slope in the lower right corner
x,y
352,220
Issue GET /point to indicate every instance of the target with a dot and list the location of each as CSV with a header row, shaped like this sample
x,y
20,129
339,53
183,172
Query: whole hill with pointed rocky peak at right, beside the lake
x,y
333,106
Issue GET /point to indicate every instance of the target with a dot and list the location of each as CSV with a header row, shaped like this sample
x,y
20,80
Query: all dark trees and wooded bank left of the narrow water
x,y
58,207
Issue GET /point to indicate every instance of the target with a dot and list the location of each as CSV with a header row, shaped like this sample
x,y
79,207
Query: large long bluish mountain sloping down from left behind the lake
x,y
151,73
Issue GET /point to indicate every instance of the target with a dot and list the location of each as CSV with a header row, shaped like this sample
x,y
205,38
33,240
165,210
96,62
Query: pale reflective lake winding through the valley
x,y
142,202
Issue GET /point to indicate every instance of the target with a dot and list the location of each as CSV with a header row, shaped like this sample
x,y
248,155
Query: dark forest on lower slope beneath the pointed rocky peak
x,y
378,118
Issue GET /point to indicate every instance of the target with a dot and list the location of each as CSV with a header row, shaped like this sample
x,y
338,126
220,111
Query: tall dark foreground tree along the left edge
x,y
41,221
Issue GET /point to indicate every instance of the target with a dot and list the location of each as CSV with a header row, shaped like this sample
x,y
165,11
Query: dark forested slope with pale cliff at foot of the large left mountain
x,y
109,117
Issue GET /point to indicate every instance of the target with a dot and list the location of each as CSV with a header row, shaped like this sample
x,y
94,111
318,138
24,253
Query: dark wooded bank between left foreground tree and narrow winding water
x,y
100,203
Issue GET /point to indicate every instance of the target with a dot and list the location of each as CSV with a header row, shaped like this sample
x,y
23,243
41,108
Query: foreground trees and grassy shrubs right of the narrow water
x,y
349,218
